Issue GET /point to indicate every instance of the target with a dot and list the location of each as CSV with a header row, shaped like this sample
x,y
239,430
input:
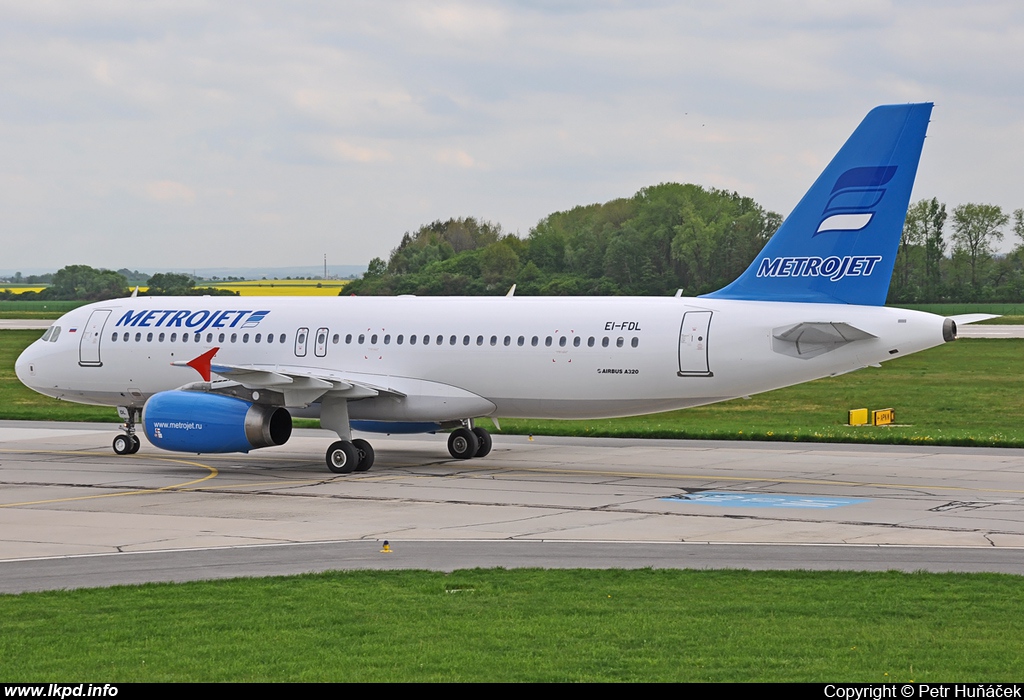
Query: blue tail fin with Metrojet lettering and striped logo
x,y
839,245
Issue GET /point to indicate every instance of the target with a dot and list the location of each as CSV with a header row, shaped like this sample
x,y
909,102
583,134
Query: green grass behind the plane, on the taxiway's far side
x,y
964,393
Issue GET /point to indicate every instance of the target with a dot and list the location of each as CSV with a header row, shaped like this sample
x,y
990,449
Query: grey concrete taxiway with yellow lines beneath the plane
x,y
74,514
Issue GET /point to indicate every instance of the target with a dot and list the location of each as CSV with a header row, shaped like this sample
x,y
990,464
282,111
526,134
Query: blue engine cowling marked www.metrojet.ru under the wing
x,y
195,422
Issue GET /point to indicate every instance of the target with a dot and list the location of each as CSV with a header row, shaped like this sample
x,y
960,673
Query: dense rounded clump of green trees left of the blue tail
x,y
665,238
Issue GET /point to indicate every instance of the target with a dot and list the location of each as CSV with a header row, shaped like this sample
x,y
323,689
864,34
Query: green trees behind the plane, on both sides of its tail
x,y
684,237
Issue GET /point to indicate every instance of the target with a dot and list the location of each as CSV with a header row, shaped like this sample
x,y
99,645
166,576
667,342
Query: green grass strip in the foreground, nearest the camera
x,y
527,626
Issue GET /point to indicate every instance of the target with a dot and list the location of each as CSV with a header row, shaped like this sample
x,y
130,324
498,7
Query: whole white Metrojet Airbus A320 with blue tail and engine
x,y
810,305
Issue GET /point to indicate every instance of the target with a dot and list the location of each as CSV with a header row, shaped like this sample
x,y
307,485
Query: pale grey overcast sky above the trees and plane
x,y
188,134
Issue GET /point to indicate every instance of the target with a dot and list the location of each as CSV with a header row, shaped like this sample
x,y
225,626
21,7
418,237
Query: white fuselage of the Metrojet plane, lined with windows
x,y
523,357
